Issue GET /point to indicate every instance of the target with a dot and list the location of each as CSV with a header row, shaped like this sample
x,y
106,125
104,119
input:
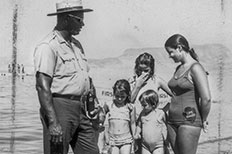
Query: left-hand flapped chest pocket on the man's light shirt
x,y
66,64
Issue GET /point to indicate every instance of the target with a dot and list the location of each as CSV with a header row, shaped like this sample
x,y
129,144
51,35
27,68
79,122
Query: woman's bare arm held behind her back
x,y
200,81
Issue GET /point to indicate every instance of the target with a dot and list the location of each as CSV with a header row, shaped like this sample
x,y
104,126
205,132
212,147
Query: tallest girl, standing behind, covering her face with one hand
x,y
145,78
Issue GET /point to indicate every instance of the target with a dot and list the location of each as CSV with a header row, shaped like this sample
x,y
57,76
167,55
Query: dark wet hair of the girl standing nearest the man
x,y
123,85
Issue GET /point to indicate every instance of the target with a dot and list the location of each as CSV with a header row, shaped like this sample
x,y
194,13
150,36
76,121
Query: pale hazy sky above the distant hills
x,y
116,25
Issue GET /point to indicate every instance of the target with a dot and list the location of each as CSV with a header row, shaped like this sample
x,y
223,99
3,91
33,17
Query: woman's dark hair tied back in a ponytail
x,y
178,39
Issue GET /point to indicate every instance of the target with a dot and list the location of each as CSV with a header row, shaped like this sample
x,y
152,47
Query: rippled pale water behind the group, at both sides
x,y
21,130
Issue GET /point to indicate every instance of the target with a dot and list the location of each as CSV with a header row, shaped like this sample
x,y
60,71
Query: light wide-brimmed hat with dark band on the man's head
x,y
69,6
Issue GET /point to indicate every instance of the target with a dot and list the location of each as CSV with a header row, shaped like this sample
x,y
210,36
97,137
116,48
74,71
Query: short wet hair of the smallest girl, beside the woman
x,y
150,97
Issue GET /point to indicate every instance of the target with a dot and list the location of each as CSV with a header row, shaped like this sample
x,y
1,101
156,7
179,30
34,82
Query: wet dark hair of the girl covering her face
x,y
146,59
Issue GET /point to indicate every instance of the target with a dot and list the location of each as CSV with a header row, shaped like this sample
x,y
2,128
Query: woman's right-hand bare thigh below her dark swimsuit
x,y
187,138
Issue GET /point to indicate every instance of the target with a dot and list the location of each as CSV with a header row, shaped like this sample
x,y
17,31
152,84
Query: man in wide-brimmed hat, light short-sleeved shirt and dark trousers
x,y
61,81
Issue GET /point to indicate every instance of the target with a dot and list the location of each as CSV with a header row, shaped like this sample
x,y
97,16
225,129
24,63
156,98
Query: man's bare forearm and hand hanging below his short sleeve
x,y
43,85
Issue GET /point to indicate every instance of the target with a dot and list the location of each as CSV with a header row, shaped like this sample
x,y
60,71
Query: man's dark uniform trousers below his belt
x,y
78,131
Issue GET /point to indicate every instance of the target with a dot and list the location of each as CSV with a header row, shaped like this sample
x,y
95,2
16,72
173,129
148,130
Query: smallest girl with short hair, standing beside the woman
x,y
151,124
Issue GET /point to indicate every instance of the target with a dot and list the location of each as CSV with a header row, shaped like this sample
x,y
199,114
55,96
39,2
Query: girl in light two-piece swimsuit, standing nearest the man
x,y
121,119
